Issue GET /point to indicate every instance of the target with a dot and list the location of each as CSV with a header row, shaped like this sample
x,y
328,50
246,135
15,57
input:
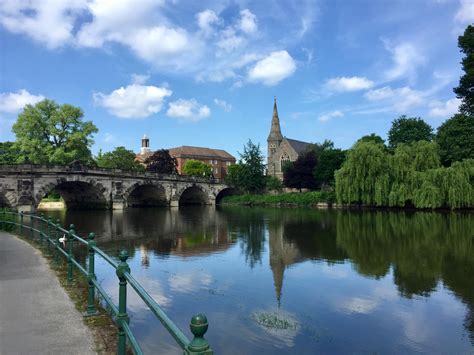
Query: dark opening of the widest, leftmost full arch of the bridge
x,y
77,194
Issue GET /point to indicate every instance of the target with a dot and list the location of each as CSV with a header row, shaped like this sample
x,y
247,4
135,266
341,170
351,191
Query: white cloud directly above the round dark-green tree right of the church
x,y
400,99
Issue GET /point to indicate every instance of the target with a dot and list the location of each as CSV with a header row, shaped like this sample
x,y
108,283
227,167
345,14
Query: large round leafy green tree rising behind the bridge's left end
x,y
48,133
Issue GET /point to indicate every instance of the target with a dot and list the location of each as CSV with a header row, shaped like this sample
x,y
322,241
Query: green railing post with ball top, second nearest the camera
x,y
122,316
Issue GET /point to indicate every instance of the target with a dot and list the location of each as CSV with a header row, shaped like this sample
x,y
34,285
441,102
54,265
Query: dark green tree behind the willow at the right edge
x,y
455,138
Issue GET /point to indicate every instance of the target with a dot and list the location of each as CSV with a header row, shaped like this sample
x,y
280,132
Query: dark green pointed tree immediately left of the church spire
x,y
248,174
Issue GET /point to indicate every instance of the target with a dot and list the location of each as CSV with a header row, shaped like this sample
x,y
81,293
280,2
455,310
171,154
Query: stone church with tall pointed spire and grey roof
x,y
281,150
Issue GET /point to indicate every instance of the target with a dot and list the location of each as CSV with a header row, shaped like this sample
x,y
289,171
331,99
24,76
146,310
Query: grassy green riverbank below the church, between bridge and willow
x,y
284,199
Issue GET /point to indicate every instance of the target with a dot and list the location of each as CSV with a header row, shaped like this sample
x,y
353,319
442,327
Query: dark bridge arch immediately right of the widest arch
x,y
145,194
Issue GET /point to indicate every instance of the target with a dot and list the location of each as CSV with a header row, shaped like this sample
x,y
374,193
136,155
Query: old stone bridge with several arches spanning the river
x,y
24,186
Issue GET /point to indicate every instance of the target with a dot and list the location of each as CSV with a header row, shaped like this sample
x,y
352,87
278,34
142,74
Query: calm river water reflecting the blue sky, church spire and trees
x,y
296,281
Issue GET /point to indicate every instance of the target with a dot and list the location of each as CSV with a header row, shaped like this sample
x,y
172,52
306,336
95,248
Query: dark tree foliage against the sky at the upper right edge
x,y
465,90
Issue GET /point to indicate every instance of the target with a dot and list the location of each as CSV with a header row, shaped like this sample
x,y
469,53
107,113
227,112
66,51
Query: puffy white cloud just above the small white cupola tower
x,y
133,101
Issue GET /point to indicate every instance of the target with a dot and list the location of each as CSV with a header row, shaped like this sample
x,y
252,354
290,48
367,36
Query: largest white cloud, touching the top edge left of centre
x,y
133,24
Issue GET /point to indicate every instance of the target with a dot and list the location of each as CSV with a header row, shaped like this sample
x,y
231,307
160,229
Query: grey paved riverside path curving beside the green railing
x,y
36,314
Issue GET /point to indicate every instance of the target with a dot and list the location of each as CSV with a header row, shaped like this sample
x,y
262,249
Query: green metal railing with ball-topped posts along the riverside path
x,y
48,231
